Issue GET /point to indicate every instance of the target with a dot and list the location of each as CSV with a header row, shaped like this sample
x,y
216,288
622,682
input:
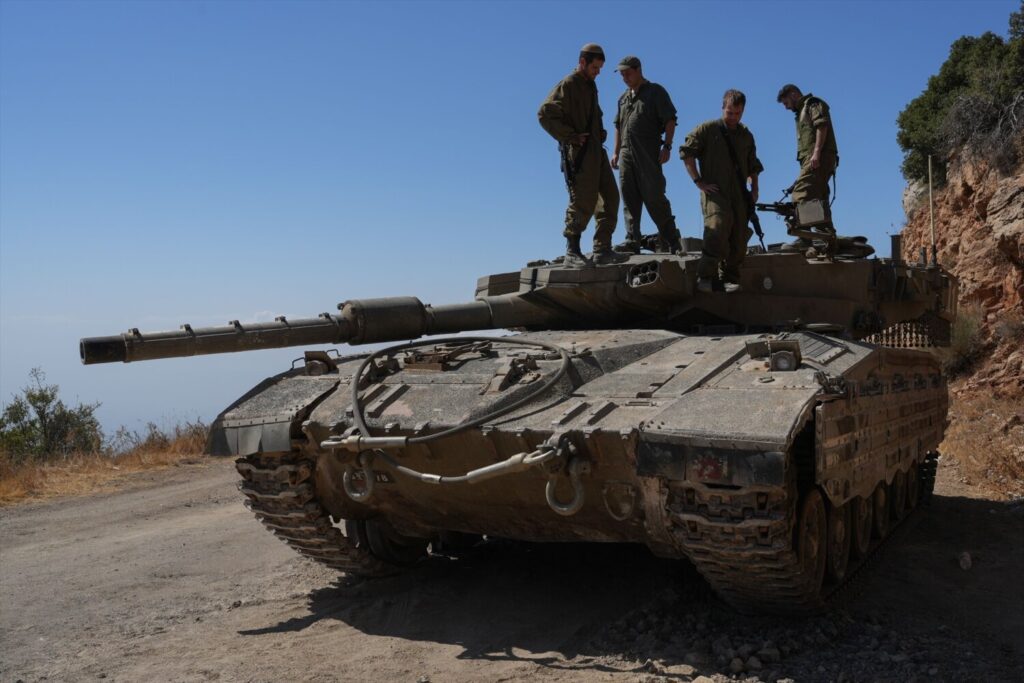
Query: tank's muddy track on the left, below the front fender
x,y
281,493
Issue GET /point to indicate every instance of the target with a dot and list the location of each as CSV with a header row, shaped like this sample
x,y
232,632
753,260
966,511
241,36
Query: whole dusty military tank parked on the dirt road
x,y
774,437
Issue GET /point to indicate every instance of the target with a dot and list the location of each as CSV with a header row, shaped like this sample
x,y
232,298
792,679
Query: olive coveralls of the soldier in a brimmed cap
x,y
642,119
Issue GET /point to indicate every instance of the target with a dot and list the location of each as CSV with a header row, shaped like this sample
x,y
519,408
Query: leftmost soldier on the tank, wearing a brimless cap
x,y
572,115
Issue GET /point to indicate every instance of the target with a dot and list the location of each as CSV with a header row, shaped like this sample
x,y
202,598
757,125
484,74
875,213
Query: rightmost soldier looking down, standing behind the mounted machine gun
x,y
817,150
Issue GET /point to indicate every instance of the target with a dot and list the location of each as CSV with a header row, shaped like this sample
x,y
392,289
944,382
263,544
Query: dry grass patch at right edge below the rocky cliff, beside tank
x,y
986,443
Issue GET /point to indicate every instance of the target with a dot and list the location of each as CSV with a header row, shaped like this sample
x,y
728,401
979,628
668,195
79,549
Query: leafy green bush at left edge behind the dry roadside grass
x,y
38,425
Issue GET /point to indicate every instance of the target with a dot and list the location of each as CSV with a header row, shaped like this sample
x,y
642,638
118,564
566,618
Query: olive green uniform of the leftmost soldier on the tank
x,y
571,106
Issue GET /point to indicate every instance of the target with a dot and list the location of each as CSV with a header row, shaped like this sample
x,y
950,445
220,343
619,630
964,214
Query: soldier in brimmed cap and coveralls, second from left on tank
x,y
646,113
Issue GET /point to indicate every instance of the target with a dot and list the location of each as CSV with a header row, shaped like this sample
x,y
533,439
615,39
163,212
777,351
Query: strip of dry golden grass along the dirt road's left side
x,y
83,474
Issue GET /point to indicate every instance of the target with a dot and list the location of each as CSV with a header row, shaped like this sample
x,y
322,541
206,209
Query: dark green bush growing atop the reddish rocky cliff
x,y
974,106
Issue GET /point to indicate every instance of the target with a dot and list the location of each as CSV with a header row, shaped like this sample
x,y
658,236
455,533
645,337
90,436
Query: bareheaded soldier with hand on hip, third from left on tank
x,y
728,156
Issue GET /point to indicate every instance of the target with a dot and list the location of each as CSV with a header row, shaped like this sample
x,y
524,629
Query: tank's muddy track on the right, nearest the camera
x,y
724,534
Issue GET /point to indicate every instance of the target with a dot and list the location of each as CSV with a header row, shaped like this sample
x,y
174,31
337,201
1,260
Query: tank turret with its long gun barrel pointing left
x,y
860,297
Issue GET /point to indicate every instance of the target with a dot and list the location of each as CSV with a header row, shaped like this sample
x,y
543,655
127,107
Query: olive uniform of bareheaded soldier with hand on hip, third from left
x,y
726,215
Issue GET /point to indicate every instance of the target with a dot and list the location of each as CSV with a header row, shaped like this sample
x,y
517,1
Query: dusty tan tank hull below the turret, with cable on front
x,y
696,446
